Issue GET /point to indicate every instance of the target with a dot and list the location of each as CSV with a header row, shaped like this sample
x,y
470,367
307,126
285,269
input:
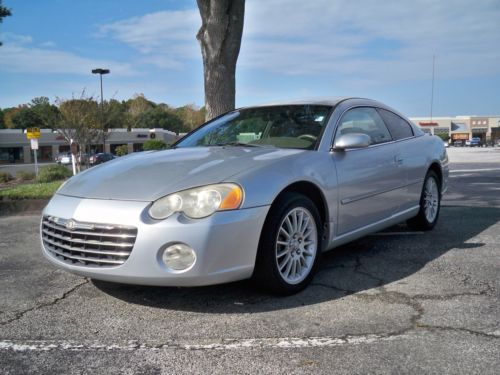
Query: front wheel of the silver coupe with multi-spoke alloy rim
x,y
289,247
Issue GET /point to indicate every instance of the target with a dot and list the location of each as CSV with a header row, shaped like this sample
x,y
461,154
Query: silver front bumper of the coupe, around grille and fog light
x,y
225,243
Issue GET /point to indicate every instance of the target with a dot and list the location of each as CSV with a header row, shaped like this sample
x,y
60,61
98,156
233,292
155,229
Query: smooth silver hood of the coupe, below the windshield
x,y
147,176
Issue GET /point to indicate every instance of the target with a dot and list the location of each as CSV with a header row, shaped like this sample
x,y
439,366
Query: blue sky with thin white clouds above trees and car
x,y
290,49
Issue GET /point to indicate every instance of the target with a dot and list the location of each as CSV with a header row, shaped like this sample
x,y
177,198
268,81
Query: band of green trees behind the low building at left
x,y
73,113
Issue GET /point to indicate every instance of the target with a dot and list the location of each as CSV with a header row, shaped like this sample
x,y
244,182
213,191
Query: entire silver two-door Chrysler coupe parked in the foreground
x,y
259,192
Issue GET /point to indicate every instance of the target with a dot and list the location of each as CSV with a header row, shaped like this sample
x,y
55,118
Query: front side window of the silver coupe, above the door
x,y
364,120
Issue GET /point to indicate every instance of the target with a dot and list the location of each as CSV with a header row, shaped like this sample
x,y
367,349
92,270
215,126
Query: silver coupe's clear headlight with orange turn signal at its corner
x,y
198,202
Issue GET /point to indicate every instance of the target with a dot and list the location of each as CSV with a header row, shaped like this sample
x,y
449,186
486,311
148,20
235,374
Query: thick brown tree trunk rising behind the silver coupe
x,y
220,40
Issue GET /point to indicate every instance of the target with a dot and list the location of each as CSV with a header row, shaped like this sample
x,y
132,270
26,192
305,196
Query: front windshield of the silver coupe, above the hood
x,y
290,126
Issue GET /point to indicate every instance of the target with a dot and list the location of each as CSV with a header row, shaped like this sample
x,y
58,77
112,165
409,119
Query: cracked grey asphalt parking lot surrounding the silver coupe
x,y
394,302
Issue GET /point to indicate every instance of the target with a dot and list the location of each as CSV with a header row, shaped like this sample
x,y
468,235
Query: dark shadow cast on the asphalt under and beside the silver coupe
x,y
368,263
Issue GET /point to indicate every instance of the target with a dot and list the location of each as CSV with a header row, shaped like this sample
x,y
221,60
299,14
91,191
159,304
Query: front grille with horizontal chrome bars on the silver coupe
x,y
87,244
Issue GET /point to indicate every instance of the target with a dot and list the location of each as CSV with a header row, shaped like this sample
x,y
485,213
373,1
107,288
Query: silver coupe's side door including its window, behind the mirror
x,y
368,178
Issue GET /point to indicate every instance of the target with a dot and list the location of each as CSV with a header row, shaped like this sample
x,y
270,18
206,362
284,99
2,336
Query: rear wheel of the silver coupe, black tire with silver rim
x,y
430,204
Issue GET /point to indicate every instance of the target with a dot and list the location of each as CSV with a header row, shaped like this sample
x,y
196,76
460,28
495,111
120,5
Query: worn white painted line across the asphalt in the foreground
x,y
284,342
